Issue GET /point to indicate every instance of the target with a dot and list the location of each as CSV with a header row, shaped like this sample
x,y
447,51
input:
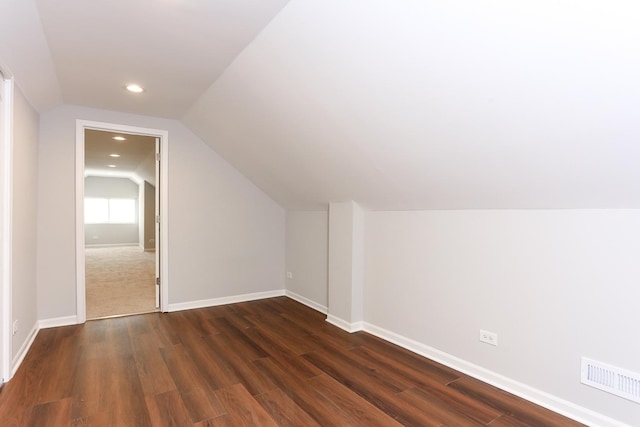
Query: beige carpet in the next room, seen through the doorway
x,y
119,281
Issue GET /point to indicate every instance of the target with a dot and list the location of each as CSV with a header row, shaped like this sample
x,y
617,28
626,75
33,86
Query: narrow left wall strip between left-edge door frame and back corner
x,y
24,249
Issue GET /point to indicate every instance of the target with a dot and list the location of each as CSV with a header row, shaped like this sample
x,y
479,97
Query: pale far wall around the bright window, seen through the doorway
x,y
111,234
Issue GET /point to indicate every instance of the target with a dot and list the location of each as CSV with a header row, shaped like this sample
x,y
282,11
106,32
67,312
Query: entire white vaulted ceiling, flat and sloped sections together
x,y
397,104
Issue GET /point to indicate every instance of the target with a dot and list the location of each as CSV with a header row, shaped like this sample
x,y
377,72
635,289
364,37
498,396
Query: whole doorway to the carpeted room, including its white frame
x,y
121,230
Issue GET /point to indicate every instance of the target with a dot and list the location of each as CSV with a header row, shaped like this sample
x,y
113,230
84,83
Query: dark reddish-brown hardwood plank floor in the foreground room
x,y
273,362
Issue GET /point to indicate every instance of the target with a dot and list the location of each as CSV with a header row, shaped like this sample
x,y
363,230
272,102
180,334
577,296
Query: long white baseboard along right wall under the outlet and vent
x,y
556,404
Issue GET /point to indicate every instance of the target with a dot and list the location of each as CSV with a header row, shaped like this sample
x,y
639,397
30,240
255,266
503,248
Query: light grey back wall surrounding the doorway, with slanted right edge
x,y
226,236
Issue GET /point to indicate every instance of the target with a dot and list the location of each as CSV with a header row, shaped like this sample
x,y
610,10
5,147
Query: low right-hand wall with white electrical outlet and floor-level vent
x,y
554,285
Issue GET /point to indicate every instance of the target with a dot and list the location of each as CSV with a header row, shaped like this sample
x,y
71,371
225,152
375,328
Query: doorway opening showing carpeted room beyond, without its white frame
x,y
119,223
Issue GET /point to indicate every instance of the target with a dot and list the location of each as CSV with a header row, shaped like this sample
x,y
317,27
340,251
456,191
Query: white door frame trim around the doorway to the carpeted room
x,y
81,125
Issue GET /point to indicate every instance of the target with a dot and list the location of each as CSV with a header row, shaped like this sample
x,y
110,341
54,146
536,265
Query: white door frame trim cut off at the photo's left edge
x,y
6,208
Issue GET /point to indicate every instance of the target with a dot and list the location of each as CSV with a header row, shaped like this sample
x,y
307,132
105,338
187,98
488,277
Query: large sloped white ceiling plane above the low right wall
x,y
436,105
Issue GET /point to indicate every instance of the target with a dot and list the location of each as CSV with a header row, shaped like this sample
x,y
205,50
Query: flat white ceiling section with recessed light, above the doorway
x,y
174,48
